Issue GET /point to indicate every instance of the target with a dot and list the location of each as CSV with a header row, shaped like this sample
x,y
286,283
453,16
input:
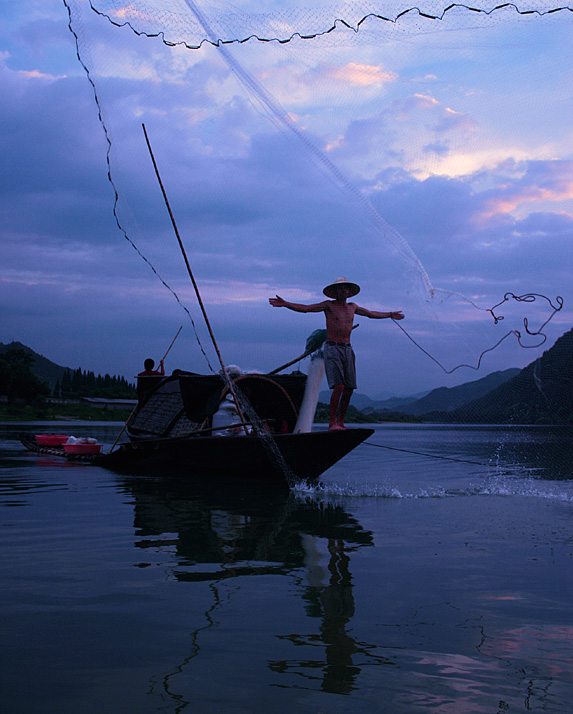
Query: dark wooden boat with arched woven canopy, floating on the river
x,y
175,428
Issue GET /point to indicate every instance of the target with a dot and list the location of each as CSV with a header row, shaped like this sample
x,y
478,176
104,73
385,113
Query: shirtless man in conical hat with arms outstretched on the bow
x,y
338,353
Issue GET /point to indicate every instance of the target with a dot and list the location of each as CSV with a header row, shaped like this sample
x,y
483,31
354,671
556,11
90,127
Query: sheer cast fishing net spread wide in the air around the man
x,y
404,145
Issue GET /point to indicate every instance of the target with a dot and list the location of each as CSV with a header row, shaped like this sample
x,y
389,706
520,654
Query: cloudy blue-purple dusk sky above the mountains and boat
x,y
431,162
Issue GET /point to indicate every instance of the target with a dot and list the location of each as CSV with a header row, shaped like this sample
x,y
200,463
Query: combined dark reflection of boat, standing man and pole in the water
x,y
225,532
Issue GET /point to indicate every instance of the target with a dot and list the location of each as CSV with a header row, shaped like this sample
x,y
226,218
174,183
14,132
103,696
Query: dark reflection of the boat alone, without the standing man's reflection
x,y
224,529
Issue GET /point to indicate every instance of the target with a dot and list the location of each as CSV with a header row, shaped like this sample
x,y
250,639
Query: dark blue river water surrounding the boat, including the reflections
x,y
403,583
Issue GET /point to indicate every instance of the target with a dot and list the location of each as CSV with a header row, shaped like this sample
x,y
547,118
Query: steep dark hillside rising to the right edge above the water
x,y
541,393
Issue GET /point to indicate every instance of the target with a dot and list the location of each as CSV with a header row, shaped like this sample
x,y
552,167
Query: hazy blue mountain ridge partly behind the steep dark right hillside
x,y
446,399
